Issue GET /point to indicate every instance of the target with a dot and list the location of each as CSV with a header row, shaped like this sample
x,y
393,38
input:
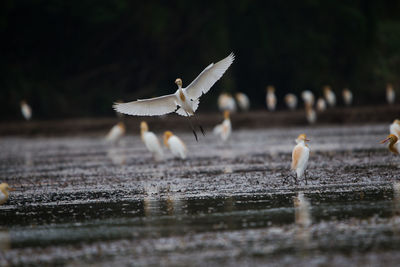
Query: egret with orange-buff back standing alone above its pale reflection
x,y
300,155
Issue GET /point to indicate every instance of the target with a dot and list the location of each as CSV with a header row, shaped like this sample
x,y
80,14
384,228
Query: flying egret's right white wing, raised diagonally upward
x,y
208,77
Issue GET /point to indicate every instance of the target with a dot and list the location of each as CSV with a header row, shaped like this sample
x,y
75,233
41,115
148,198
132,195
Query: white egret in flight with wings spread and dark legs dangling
x,y
184,101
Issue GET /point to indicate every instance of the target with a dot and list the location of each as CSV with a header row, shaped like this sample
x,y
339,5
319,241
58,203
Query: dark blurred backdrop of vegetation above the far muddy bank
x,y
74,58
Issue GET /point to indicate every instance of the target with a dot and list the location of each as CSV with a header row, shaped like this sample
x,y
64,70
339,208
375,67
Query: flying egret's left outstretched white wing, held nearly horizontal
x,y
148,107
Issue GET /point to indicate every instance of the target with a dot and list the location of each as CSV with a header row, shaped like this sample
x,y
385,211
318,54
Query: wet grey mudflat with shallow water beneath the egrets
x,y
81,201
